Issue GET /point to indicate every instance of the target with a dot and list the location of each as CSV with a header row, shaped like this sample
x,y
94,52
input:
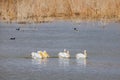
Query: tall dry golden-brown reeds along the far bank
x,y
45,10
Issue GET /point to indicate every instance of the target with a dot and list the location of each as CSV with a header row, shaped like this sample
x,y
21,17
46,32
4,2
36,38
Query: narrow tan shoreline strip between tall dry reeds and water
x,y
52,19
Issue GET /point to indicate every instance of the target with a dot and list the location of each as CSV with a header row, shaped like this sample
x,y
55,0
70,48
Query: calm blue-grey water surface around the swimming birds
x,y
102,43
